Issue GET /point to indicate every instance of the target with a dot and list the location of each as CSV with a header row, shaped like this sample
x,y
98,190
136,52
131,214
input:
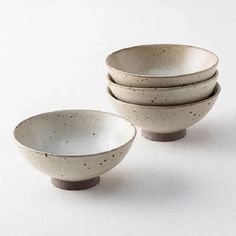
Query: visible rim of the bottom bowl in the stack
x,y
214,94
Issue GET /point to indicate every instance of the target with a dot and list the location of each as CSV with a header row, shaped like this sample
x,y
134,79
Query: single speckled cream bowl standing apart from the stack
x,y
74,147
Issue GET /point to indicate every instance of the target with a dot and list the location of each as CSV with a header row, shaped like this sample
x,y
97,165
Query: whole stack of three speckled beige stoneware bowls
x,y
163,88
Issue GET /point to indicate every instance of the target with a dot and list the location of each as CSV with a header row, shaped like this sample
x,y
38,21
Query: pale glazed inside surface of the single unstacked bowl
x,y
74,132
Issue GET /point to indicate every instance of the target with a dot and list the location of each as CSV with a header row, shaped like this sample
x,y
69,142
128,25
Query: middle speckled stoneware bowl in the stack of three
x,y
163,96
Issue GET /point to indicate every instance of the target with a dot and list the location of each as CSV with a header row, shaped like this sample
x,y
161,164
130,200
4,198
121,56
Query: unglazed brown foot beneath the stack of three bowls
x,y
163,137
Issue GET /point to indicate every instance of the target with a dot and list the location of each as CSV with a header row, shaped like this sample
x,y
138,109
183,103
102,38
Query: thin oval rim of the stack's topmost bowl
x,y
162,77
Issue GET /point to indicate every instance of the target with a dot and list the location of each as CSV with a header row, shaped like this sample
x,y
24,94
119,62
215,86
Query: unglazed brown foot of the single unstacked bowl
x,y
75,185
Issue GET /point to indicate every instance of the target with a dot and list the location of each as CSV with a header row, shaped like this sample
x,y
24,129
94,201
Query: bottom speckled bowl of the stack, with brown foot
x,y
165,123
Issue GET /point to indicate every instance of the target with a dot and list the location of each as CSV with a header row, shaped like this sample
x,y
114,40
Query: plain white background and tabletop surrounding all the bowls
x,y
52,56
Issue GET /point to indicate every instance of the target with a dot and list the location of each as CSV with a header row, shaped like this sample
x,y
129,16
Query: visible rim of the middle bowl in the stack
x,y
185,86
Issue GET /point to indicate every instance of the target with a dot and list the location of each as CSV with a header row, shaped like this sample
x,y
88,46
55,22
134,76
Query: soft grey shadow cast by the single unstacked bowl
x,y
144,186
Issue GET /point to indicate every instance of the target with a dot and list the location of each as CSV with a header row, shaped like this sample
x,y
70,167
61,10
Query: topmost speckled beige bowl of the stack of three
x,y
161,65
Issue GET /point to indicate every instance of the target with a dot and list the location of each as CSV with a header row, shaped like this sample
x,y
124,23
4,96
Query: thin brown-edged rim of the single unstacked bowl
x,y
73,155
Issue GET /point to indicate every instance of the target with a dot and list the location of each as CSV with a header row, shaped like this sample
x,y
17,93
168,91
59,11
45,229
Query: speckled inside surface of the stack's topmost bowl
x,y
162,60
